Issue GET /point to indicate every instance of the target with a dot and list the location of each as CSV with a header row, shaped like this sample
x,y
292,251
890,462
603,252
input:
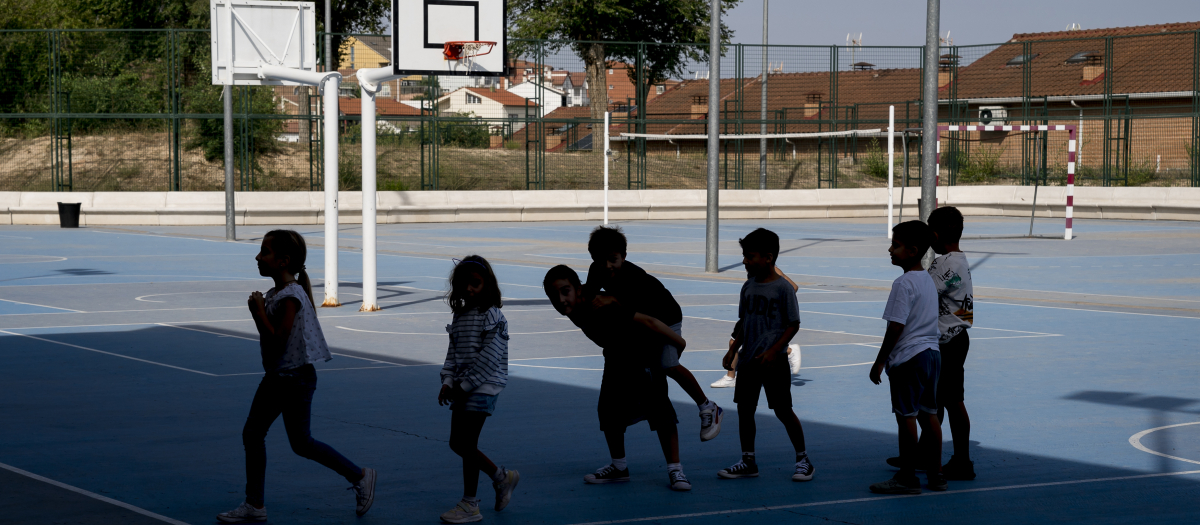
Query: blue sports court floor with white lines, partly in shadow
x,y
130,363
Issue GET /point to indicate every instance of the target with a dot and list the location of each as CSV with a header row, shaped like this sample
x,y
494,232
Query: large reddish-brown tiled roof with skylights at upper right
x,y
1141,64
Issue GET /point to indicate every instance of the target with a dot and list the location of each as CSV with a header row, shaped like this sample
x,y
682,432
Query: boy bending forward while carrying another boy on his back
x,y
633,388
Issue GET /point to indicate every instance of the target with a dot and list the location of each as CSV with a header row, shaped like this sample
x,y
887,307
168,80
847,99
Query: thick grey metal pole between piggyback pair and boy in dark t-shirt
x,y
715,99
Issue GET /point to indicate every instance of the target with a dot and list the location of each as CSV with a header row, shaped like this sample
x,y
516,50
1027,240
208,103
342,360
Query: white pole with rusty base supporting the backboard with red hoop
x,y
370,80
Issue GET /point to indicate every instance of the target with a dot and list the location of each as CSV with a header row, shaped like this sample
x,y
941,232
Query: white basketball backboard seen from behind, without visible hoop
x,y
248,34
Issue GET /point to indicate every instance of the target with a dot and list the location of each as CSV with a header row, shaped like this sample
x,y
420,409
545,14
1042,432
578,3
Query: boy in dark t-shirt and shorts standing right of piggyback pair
x,y
770,318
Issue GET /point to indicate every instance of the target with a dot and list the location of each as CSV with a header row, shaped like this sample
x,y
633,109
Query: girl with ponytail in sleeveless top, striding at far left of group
x,y
291,342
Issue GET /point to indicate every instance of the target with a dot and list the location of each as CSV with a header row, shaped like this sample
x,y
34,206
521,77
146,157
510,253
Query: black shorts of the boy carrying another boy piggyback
x,y
629,395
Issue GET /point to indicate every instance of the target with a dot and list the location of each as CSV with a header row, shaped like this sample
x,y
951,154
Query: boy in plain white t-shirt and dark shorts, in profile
x,y
913,360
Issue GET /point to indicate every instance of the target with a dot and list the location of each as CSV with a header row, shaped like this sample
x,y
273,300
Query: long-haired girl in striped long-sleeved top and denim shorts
x,y
476,371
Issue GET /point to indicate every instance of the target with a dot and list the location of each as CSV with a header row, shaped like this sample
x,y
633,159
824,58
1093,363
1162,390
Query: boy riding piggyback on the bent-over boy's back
x,y
639,291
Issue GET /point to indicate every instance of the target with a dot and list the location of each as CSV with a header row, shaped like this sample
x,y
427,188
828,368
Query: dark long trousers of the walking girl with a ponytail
x,y
289,394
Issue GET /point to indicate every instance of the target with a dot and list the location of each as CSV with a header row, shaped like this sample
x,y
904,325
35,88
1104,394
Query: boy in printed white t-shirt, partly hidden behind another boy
x,y
952,276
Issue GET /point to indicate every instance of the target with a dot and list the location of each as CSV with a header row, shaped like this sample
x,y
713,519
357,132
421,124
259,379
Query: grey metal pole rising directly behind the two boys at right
x,y
929,110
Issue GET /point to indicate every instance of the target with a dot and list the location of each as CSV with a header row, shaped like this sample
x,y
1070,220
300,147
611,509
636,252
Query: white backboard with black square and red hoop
x,y
422,28
